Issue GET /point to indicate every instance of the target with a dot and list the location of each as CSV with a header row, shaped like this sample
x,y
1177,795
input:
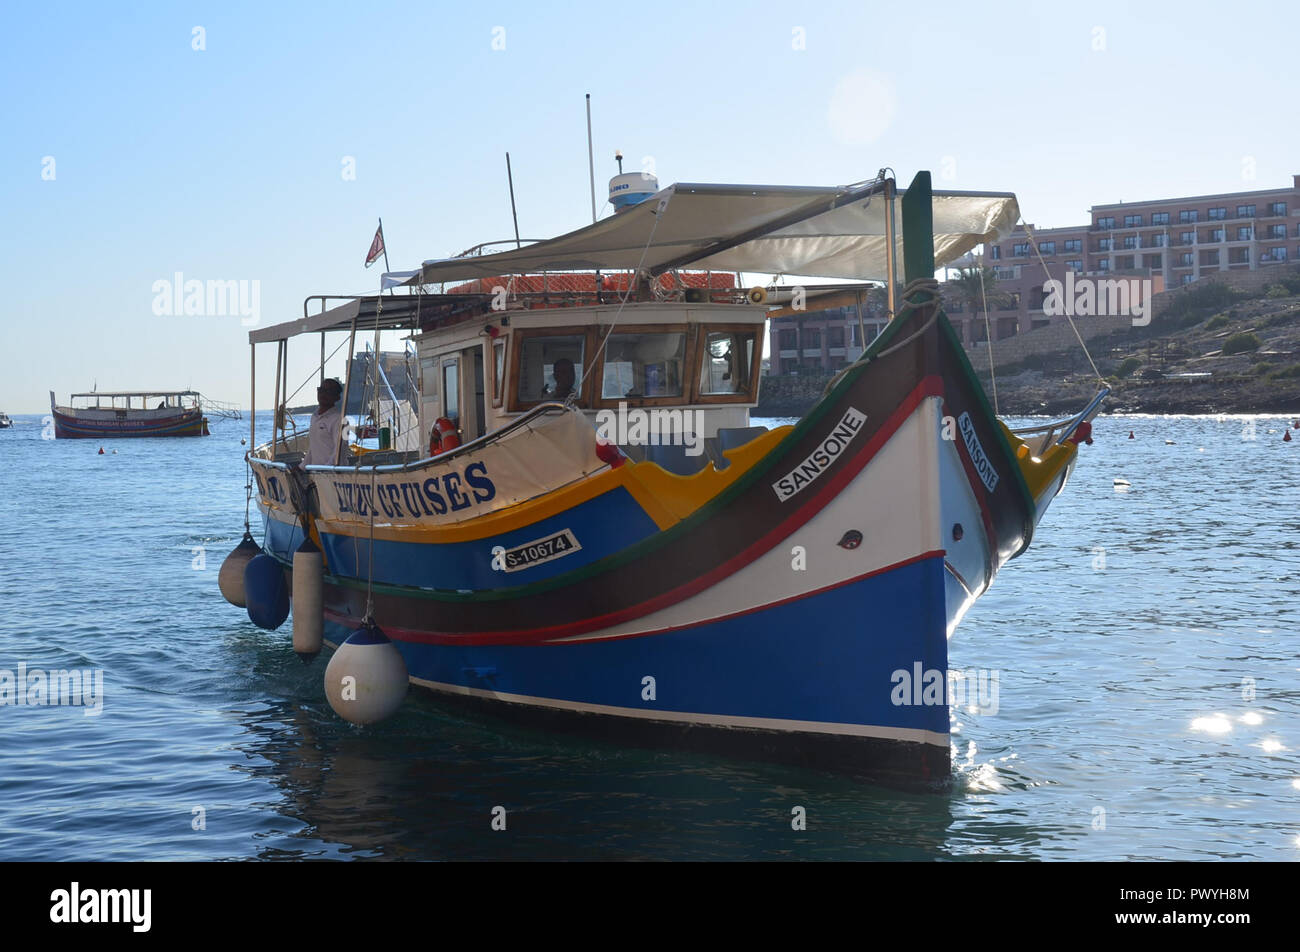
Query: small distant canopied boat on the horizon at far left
x,y
131,414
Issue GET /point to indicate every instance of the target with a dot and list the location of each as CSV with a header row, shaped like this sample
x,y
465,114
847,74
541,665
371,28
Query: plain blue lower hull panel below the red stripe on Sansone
x,y
825,664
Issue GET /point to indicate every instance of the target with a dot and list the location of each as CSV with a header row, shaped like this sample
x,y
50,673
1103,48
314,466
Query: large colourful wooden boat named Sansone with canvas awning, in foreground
x,y
614,548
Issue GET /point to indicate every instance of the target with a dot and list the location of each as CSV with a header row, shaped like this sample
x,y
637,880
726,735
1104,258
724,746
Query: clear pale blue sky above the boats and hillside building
x,y
259,144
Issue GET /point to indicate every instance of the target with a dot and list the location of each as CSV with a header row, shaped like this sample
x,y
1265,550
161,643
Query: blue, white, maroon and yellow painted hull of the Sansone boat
x,y
790,605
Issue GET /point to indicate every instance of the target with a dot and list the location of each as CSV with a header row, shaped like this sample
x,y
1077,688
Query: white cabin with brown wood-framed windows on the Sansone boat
x,y
700,360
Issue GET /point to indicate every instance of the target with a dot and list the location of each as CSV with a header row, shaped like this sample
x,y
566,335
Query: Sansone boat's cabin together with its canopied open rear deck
x,y
687,361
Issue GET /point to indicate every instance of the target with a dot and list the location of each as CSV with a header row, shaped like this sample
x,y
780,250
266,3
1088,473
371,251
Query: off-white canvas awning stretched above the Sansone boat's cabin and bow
x,y
811,232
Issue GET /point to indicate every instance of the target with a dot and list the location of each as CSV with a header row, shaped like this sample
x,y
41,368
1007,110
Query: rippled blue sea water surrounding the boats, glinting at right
x,y
1147,650
